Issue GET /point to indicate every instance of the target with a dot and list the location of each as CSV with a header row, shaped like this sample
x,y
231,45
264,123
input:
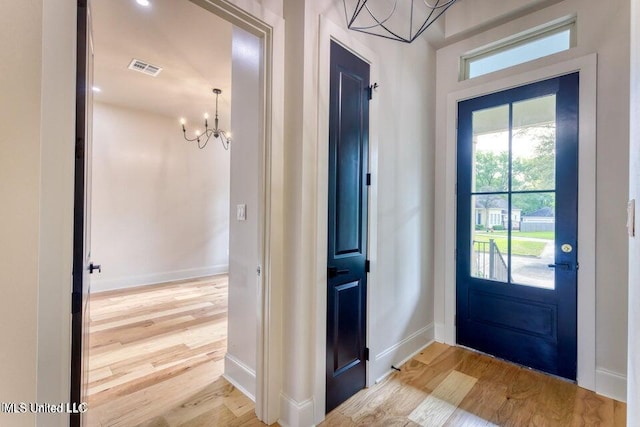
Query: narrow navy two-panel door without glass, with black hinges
x,y
347,226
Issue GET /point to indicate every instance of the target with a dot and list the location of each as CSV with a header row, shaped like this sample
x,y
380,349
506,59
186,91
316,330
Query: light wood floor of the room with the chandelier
x,y
157,354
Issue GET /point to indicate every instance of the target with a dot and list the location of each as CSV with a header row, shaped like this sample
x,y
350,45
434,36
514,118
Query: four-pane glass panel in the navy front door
x,y
513,192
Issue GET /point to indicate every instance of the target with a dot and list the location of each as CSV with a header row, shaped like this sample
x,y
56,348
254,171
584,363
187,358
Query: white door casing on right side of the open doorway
x,y
269,27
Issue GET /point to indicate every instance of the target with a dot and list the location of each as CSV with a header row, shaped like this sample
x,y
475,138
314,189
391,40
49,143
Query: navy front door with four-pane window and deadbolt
x,y
516,252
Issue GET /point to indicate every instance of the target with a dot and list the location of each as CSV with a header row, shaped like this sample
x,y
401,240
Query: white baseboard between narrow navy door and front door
x,y
400,353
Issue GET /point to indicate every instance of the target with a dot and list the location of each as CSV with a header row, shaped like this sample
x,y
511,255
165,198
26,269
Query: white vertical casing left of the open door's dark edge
x,y
56,205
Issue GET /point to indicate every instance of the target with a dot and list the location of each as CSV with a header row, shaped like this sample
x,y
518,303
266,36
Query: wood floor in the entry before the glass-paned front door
x,y
450,386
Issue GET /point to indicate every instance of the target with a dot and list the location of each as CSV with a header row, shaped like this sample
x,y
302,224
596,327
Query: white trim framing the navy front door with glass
x,y
587,67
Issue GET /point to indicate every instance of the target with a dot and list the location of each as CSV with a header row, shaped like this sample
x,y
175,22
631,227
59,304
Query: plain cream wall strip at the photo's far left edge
x,y
20,119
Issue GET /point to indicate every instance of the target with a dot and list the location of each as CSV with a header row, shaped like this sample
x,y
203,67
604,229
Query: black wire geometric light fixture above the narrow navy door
x,y
400,20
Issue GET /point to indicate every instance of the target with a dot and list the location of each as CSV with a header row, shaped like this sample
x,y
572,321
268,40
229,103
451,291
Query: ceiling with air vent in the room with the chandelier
x,y
192,45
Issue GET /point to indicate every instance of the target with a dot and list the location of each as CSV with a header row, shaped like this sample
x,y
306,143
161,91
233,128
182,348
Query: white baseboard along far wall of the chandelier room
x,y
98,285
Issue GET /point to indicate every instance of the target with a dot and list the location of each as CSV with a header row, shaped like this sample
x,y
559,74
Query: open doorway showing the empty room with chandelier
x,y
162,208
